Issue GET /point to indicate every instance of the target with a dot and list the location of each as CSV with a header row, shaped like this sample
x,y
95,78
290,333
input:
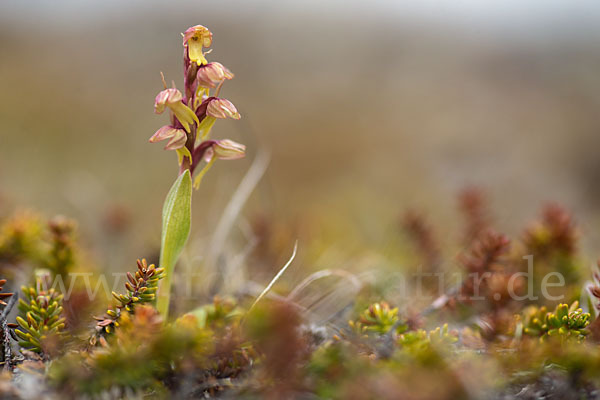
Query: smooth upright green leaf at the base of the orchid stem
x,y
177,217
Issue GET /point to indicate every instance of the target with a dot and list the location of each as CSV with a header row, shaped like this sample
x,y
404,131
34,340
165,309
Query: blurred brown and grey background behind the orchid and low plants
x,y
366,108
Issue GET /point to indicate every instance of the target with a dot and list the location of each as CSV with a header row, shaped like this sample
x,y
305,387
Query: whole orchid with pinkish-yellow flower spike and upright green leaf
x,y
193,114
